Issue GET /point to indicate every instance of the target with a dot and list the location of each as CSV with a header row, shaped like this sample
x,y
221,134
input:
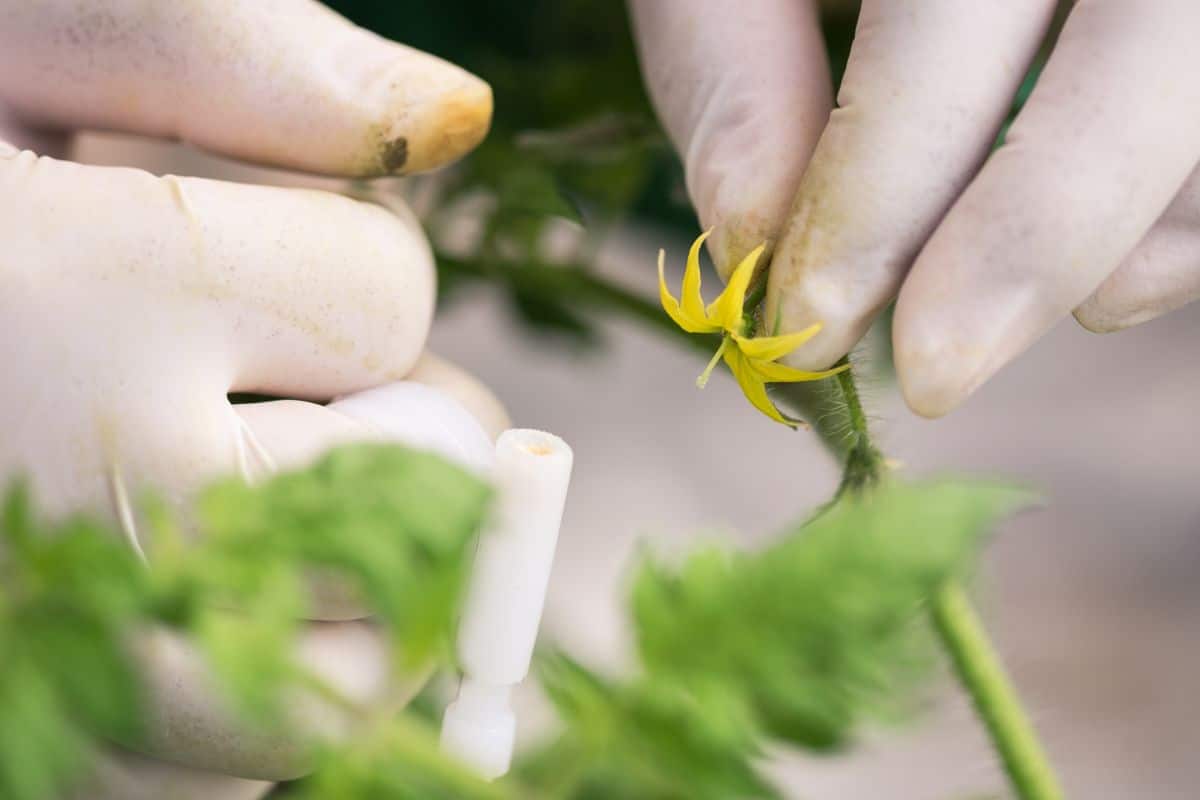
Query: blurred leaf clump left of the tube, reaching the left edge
x,y
397,524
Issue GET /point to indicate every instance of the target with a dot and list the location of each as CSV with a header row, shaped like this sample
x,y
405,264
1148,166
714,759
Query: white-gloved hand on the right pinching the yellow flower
x,y
1088,207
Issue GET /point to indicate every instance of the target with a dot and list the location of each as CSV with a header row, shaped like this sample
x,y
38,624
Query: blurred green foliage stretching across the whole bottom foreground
x,y
800,642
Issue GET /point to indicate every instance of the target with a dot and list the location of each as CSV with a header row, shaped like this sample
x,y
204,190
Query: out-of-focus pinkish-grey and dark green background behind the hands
x,y
1093,599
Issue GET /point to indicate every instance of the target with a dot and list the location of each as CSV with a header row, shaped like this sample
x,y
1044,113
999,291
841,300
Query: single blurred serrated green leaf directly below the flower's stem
x,y
823,629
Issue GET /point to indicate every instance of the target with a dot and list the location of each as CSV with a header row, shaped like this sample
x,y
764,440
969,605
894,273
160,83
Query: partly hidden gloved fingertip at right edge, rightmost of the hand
x,y
1161,275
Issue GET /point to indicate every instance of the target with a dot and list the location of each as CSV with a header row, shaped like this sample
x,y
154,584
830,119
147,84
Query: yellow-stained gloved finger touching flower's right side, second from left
x,y
927,88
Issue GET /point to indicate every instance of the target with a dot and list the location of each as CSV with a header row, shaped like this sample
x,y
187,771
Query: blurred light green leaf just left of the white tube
x,y
397,524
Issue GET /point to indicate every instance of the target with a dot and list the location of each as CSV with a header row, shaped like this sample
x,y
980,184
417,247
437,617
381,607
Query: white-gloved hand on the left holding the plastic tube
x,y
130,305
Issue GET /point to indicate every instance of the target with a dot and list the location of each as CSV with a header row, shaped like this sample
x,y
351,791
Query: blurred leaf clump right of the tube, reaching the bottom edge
x,y
801,642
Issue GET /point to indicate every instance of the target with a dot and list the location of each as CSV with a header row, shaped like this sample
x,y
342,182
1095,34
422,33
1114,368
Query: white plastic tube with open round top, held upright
x,y
506,598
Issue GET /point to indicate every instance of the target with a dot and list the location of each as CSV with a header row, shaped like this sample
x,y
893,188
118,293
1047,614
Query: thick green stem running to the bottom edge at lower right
x,y
982,675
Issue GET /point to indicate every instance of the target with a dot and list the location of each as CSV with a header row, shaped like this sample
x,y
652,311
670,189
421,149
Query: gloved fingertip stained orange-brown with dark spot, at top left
x,y
279,82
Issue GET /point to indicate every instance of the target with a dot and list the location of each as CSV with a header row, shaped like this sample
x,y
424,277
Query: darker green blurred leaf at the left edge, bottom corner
x,y
69,592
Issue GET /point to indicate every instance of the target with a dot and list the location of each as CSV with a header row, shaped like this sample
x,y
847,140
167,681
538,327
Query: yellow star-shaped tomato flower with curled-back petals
x,y
753,360
